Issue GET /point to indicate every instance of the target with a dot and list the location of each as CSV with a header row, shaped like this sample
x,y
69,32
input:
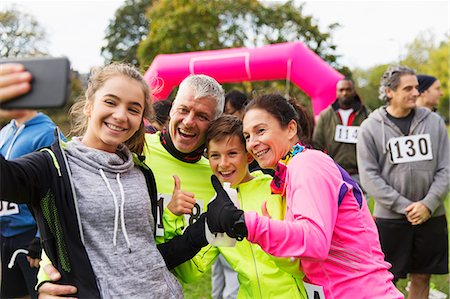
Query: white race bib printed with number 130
x,y
410,148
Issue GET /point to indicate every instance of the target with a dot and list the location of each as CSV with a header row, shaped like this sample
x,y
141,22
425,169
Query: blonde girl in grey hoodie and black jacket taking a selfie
x,y
95,200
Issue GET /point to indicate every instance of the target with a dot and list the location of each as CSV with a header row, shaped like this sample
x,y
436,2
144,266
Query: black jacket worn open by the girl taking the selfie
x,y
41,179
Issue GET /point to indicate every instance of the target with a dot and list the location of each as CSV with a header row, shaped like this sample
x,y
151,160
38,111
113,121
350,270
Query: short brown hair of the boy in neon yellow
x,y
224,126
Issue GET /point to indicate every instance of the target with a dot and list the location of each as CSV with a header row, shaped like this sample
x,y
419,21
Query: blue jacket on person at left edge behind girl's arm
x,y
16,142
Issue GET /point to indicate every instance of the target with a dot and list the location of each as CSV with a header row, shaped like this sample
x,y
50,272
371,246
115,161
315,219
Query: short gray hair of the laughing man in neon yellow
x,y
204,87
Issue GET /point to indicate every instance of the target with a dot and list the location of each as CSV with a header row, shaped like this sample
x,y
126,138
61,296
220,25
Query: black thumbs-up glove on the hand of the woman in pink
x,y
223,216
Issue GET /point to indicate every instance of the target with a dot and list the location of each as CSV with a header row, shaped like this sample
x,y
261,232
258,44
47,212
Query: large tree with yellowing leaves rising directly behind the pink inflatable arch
x,y
186,26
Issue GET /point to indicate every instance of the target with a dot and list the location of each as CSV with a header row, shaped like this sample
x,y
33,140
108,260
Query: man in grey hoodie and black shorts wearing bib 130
x,y
403,161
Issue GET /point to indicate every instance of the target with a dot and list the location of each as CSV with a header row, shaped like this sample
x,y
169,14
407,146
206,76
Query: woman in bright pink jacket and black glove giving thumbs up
x,y
327,223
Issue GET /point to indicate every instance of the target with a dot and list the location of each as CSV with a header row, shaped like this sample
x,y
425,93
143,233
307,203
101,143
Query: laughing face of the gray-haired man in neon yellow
x,y
189,120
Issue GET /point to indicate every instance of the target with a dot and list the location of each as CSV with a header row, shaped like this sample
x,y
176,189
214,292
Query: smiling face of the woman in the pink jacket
x,y
266,140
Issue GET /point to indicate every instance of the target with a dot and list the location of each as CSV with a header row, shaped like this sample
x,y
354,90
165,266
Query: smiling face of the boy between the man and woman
x,y
229,160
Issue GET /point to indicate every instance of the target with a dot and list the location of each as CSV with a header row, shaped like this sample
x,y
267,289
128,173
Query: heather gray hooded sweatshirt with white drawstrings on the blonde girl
x,y
117,224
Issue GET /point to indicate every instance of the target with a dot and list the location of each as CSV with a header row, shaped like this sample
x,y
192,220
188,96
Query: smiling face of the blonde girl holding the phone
x,y
114,114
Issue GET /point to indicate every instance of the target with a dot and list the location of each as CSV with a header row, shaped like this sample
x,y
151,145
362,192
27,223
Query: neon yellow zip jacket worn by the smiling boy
x,y
260,275
